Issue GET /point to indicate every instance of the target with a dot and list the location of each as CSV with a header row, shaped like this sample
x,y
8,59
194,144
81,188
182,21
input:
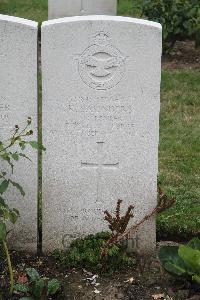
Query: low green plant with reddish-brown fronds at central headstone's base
x,y
105,252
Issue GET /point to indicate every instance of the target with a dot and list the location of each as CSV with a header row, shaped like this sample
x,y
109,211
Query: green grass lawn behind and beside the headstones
x,y
179,158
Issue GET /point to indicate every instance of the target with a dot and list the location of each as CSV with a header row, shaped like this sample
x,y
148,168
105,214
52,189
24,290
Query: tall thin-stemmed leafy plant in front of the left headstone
x,y
18,142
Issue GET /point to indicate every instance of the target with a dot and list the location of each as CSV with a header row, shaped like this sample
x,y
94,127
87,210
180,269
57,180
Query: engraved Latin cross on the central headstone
x,y
99,165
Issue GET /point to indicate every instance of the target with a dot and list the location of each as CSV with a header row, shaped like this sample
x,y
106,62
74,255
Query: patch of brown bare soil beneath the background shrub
x,y
183,56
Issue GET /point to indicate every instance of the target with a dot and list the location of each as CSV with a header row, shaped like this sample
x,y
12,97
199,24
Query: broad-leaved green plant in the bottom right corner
x,y
182,261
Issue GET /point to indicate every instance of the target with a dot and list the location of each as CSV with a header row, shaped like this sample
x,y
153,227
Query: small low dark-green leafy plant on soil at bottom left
x,y
37,288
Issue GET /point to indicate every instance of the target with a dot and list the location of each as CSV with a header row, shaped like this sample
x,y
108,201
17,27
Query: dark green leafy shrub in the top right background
x,y
180,19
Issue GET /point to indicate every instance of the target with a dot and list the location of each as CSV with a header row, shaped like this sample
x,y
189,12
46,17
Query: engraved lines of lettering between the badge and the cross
x,y
89,116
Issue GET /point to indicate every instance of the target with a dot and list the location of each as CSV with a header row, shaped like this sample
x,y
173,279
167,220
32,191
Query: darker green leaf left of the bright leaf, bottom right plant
x,y
171,261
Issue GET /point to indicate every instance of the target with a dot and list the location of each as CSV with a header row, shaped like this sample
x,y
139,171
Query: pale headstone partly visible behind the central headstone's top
x,y
68,8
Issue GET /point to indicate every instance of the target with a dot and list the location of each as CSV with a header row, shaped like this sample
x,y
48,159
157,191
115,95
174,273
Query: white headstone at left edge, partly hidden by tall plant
x,y
18,101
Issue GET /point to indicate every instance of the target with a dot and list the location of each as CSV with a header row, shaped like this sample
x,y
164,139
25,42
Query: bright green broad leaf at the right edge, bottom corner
x,y
191,258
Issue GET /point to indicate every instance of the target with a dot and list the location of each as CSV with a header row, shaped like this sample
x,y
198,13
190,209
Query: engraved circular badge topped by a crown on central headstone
x,y
101,66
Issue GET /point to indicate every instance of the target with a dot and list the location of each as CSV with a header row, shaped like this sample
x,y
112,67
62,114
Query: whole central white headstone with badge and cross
x,y
101,97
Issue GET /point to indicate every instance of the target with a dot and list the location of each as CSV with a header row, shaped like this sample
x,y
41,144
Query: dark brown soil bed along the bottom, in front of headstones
x,y
146,281
